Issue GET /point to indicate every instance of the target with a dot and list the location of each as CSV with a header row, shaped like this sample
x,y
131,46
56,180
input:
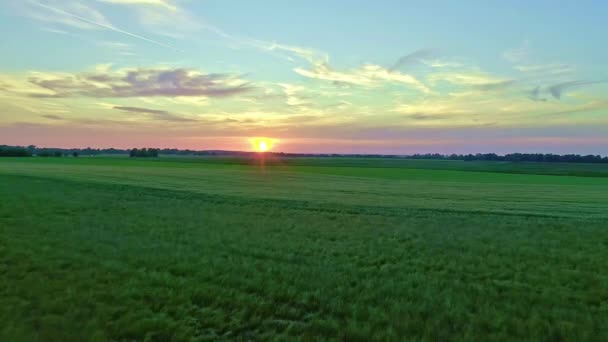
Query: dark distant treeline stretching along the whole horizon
x,y
20,151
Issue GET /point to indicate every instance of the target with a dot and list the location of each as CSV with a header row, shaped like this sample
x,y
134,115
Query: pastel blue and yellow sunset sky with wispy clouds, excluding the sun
x,y
332,76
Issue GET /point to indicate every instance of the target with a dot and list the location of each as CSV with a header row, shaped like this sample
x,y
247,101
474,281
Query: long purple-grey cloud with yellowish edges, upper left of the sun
x,y
139,83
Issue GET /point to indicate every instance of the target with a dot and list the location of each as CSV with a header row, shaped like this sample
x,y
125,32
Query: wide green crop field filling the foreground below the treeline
x,y
311,248
